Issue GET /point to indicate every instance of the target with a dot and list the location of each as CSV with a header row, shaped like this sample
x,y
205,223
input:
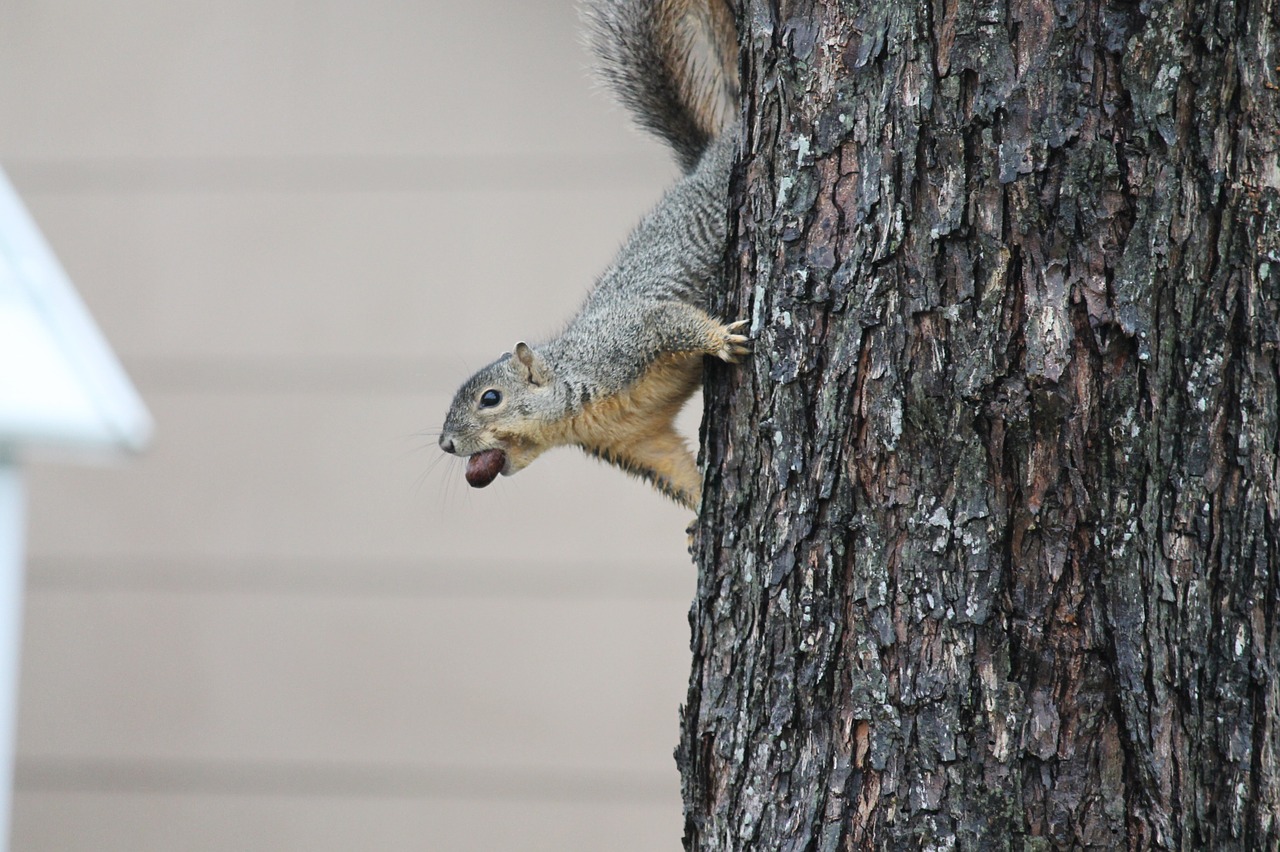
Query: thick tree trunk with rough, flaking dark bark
x,y
990,553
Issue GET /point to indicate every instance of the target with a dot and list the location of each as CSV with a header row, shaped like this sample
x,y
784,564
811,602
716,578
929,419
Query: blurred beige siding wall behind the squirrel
x,y
291,625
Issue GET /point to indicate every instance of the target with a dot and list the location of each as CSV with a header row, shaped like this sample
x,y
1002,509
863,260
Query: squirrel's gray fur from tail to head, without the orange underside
x,y
666,59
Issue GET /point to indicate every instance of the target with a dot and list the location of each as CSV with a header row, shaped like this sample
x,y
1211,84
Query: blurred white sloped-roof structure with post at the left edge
x,y
61,390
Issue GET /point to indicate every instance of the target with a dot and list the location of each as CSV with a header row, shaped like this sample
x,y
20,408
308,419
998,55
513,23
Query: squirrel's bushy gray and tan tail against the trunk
x,y
673,63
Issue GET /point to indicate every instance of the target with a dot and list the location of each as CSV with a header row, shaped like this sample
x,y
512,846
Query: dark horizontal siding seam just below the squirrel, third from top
x,y
604,581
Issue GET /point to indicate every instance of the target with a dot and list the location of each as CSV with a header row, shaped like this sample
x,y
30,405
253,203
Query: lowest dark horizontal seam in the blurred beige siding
x,y
209,778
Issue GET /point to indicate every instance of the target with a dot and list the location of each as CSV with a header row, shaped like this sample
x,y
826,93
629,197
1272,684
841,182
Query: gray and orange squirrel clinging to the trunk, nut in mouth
x,y
614,382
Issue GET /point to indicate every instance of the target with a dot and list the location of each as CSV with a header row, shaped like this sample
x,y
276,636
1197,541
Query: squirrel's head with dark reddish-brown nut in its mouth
x,y
500,418
